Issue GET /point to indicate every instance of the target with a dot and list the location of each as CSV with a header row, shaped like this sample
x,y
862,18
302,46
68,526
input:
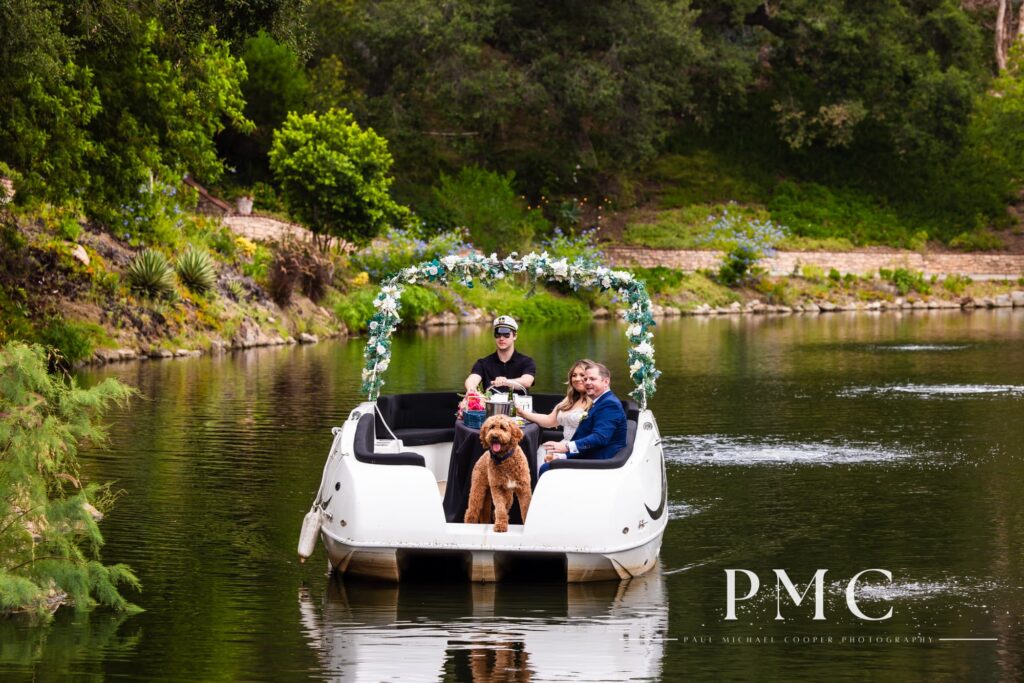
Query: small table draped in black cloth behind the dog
x,y
466,450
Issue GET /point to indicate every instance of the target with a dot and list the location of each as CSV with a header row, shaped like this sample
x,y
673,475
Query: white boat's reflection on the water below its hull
x,y
488,632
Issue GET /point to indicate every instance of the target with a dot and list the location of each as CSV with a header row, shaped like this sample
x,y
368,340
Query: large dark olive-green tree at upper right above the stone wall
x,y
887,86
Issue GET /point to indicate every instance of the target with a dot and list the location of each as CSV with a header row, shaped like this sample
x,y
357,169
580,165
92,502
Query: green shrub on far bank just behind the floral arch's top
x,y
486,204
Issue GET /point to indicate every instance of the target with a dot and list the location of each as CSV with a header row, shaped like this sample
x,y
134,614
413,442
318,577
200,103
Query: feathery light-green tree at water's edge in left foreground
x,y
50,540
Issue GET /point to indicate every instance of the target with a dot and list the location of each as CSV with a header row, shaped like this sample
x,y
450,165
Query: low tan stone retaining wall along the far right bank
x,y
978,267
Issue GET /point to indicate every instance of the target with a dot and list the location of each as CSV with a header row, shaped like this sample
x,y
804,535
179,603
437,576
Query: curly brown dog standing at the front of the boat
x,y
500,474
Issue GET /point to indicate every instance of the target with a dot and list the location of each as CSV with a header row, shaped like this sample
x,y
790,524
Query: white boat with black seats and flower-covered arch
x,y
381,509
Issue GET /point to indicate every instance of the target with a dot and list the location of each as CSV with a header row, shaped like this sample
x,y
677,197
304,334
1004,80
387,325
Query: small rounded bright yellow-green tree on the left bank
x,y
334,176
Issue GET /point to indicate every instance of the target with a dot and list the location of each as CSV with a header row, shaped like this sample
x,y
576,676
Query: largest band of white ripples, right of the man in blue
x,y
731,451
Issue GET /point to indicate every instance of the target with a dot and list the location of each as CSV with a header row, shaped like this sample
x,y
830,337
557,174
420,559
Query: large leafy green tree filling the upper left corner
x,y
99,100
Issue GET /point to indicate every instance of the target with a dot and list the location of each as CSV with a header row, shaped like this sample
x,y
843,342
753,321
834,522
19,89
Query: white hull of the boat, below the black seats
x,y
595,525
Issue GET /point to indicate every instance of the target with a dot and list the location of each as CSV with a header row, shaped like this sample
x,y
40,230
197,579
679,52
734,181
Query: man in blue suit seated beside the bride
x,y
603,434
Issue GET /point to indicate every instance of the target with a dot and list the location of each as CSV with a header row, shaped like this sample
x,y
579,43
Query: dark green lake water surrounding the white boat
x,y
842,443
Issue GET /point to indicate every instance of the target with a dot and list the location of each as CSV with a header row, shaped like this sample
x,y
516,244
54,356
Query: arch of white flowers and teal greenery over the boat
x,y
488,270
